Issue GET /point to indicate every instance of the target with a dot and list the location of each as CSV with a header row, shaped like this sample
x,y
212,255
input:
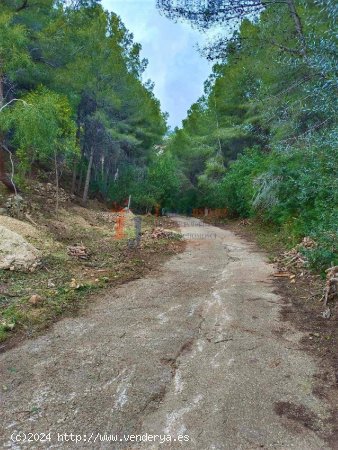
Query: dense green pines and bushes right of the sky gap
x,y
262,141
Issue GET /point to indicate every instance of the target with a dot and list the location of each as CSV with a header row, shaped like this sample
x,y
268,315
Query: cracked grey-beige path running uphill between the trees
x,y
196,349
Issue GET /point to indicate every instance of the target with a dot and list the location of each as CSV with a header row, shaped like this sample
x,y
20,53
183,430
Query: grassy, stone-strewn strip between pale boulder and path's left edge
x,y
64,284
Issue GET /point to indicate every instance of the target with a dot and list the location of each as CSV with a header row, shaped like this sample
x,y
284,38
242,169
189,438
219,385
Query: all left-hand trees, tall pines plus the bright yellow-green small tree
x,y
73,106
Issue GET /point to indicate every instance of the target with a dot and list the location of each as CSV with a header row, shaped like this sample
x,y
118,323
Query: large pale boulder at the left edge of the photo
x,y
15,252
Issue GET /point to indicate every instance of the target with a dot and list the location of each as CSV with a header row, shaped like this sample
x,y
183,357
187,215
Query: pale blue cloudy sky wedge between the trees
x,y
175,65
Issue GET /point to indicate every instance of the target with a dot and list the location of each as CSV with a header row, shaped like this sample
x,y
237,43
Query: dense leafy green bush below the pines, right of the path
x,y
296,189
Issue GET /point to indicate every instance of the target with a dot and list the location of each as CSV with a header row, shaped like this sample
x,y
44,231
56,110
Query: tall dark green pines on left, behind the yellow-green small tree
x,y
76,49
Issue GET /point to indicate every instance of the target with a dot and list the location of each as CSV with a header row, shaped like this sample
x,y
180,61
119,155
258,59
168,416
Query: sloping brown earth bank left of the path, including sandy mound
x,y
64,282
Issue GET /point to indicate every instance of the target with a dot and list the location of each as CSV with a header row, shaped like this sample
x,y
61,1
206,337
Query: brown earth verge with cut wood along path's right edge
x,y
303,308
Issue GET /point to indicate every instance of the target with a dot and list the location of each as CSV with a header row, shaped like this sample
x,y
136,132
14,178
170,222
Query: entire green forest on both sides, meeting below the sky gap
x,y
261,141
